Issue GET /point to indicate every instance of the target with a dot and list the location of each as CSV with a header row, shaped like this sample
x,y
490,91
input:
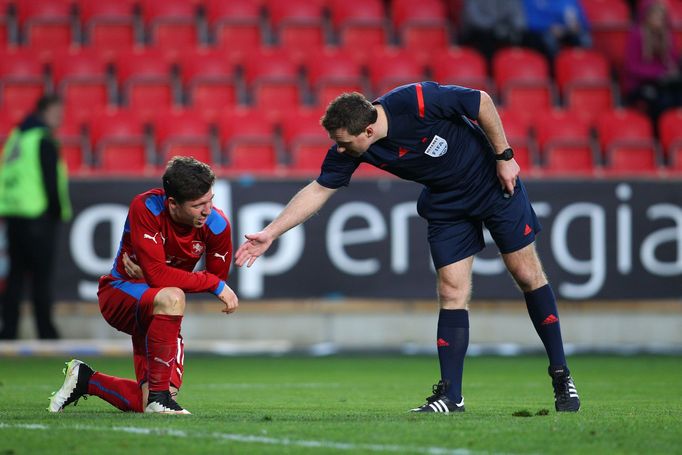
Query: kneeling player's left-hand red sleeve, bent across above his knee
x,y
146,239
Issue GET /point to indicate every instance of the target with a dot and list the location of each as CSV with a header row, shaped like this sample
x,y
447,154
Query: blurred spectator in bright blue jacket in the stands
x,y
552,24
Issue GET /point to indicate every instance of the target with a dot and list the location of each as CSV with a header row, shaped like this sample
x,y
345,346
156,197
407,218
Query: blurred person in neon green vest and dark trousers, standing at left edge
x,y
33,199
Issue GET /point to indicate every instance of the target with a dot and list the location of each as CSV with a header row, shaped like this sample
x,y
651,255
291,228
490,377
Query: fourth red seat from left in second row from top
x,y
209,78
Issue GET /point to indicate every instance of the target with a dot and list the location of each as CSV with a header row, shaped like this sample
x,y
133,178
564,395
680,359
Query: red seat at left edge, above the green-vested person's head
x,y
21,82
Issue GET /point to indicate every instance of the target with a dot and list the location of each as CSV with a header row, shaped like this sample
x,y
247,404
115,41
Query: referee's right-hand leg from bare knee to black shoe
x,y
525,267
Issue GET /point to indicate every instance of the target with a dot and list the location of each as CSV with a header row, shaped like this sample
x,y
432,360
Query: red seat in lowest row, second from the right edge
x,y
623,127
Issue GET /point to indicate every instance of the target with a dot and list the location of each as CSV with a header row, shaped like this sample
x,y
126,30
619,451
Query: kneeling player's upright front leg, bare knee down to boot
x,y
162,350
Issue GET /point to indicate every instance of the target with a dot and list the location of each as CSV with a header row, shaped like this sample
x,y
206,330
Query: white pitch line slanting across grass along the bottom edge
x,y
246,438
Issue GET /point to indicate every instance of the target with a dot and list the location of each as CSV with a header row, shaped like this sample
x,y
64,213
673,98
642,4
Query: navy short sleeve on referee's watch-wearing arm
x,y
448,101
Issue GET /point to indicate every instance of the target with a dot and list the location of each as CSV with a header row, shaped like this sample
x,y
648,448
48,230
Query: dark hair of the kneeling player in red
x,y
187,179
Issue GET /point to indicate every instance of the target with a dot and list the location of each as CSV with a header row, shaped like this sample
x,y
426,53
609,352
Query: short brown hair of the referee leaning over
x,y
351,111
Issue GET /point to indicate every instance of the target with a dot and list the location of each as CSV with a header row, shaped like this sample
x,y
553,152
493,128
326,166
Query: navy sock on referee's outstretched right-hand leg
x,y
543,312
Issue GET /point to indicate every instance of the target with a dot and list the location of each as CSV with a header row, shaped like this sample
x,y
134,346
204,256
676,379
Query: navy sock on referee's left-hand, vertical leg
x,y
453,341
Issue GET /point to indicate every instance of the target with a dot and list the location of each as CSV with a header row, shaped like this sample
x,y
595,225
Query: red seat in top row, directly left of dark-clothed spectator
x,y
422,27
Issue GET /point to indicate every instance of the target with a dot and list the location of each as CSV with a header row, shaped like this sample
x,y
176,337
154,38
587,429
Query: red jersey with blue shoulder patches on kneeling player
x,y
167,251
